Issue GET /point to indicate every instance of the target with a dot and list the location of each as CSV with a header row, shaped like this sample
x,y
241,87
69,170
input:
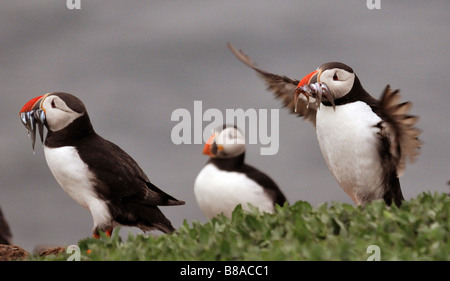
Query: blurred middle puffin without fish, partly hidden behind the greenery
x,y
227,181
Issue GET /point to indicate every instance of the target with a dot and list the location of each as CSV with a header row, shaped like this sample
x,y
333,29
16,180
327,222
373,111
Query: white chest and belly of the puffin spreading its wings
x,y
350,145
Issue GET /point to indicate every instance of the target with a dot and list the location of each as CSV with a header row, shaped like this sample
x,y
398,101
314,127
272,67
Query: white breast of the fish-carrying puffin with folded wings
x,y
74,177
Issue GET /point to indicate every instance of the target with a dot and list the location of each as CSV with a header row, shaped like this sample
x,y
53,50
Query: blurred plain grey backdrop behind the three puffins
x,y
134,62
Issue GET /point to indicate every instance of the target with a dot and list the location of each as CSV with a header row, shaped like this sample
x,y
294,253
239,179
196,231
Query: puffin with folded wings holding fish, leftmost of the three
x,y
95,172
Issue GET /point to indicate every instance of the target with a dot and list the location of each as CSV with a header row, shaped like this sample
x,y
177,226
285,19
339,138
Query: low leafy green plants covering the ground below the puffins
x,y
419,230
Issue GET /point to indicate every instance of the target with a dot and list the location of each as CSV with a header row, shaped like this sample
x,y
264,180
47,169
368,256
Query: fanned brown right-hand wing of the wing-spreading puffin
x,y
399,130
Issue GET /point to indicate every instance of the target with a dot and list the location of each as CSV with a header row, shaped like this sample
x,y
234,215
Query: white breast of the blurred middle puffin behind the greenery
x,y
220,191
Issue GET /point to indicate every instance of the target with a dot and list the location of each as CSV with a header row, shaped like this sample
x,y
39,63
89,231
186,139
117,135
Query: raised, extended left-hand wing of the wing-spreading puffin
x,y
283,88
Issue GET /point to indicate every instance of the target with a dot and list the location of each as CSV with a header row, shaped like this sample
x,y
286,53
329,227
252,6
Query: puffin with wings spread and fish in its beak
x,y
364,141
